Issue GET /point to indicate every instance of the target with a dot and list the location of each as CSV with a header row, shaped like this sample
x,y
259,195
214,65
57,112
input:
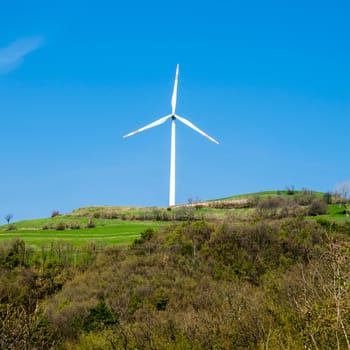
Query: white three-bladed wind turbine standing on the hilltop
x,y
173,118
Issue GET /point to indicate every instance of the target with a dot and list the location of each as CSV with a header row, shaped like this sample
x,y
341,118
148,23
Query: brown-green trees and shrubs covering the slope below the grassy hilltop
x,y
263,281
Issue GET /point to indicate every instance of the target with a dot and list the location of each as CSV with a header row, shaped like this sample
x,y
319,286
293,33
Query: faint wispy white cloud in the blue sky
x,y
11,57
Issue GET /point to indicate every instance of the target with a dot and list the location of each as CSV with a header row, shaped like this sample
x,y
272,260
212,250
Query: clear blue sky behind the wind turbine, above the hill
x,y
270,80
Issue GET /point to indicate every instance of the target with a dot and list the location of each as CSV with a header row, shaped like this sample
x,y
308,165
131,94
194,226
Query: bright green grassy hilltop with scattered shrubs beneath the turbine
x,y
109,225
